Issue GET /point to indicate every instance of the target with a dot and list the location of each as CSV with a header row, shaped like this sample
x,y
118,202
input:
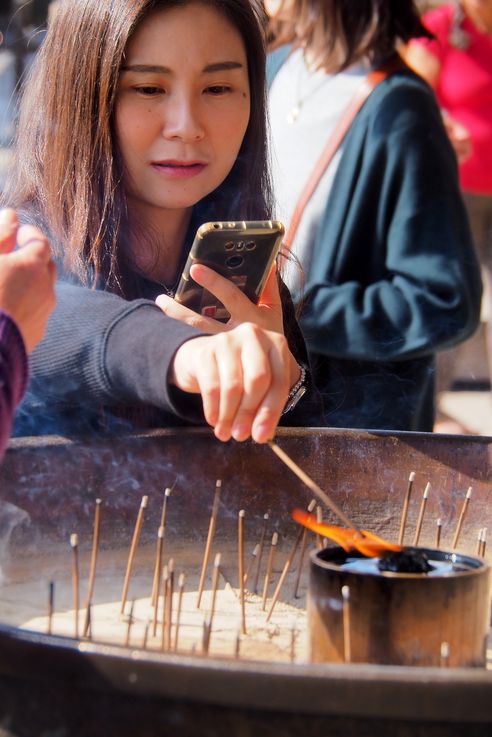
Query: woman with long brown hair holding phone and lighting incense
x,y
142,119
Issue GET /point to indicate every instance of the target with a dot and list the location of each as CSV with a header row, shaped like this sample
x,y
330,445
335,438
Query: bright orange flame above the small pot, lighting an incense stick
x,y
368,544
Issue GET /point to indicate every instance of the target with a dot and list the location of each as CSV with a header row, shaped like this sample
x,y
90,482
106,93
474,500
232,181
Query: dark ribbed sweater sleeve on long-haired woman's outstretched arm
x,y
100,349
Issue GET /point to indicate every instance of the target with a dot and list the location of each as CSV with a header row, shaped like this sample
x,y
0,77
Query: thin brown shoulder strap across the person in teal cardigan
x,y
336,138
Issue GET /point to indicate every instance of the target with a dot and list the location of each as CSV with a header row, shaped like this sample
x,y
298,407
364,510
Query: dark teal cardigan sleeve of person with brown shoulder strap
x,y
395,275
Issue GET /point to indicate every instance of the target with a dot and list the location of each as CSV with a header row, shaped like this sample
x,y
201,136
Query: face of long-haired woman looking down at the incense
x,y
182,107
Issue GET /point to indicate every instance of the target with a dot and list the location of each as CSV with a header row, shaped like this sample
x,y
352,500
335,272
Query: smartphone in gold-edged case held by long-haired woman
x,y
242,251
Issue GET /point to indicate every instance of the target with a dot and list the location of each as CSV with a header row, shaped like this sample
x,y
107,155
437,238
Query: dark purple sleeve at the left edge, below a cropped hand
x,y
13,375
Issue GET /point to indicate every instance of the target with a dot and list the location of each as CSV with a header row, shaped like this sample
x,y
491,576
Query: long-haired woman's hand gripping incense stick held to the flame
x,y
243,375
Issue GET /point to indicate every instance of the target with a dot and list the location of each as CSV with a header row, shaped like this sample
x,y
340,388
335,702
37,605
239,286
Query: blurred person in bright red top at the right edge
x,y
457,64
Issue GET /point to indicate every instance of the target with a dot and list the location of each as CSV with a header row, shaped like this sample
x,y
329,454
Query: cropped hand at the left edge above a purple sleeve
x,y
27,277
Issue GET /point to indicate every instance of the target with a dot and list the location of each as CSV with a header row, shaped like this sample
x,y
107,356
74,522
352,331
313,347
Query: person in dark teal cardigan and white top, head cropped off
x,y
390,272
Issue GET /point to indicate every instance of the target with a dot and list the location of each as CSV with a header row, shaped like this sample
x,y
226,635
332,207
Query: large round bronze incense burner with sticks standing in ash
x,y
147,660
